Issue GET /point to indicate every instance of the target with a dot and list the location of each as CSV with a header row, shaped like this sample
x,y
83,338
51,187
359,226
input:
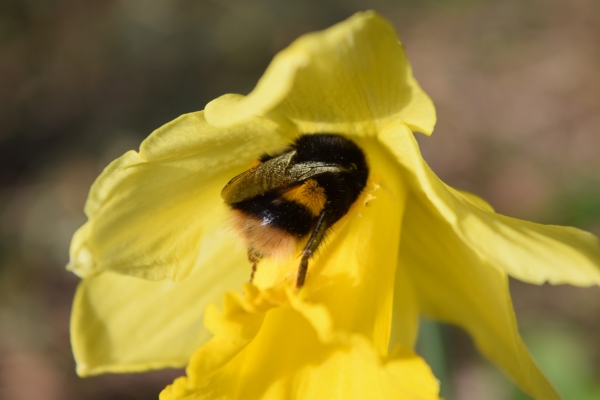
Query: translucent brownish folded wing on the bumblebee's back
x,y
279,172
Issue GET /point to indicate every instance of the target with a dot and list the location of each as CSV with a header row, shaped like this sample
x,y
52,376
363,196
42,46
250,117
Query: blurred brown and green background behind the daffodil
x,y
516,85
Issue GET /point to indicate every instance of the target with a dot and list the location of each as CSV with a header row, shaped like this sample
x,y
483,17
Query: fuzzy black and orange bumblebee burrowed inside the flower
x,y
295,196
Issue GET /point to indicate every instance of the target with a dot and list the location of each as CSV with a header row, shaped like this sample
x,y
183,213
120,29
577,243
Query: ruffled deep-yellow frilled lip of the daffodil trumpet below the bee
x,y
251,357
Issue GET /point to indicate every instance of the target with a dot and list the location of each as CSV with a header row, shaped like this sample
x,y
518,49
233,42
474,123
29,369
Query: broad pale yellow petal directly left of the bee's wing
x,y
150,212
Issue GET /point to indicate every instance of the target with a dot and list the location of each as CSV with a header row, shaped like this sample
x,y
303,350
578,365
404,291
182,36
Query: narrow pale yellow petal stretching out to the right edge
x,y
531,252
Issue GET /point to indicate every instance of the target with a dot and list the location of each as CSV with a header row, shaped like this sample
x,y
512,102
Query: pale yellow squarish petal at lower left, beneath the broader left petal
x,y
122,323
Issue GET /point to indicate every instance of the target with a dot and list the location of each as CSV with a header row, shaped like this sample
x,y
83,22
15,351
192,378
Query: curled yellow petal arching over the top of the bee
x,y
351,78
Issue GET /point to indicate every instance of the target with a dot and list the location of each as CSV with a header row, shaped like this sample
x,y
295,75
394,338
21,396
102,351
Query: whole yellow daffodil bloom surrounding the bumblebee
x,y
158,250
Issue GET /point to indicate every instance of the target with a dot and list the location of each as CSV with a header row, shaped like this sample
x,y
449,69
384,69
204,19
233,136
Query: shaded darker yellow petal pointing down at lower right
x,y
454,285
